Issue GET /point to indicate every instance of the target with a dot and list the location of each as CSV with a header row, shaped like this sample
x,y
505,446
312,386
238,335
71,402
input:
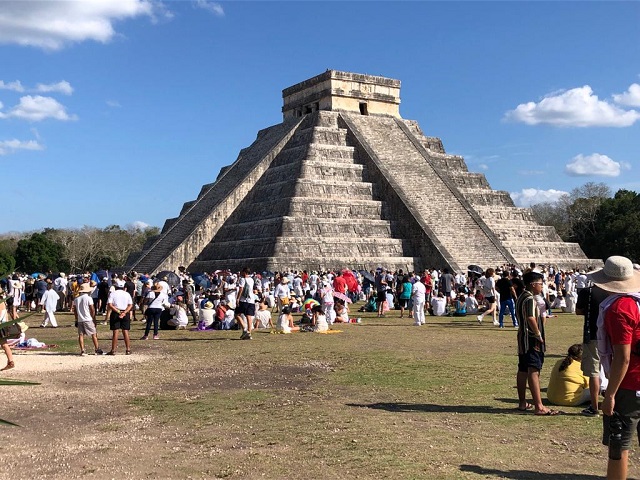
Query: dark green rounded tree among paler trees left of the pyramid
x,y
39,253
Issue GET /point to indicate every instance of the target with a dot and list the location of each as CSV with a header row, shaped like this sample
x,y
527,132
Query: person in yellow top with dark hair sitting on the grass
x,y
567,385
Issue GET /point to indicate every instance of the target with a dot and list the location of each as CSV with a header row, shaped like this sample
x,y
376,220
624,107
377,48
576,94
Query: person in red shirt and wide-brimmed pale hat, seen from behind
x,y
621,406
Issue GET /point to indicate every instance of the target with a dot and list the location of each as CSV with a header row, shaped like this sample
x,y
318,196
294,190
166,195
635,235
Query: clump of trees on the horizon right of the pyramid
x,y
601,223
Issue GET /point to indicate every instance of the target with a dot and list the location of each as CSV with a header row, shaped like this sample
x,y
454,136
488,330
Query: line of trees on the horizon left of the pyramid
x,y
71,250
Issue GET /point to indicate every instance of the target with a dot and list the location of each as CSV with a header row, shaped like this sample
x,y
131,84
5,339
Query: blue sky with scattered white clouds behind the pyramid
x,y
118,111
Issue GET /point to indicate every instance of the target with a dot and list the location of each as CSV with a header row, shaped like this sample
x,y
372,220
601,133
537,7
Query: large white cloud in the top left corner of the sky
x,y
55,23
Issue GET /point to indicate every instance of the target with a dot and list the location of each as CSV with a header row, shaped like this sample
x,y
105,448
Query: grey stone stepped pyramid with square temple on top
x,y
345,181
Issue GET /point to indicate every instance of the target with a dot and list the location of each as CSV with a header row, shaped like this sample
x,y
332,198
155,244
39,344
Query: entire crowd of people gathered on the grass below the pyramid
x,y
606,362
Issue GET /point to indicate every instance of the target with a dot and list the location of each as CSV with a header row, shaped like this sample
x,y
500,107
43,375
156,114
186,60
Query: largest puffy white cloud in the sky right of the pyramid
x,y
578,107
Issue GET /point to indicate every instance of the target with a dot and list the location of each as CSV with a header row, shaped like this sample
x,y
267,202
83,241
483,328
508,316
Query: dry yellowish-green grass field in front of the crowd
x,y
380,399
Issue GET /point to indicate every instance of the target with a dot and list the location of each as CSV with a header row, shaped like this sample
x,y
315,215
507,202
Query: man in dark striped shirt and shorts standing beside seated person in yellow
x,y
531,345
